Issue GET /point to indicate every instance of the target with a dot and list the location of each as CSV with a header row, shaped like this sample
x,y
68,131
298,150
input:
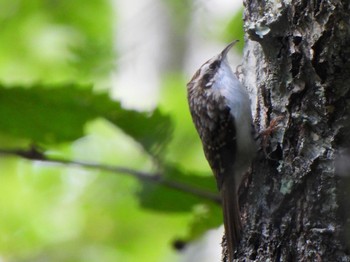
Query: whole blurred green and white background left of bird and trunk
x,y
141,53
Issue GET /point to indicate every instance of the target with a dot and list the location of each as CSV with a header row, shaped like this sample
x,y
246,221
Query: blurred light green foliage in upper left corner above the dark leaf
x,y
55,40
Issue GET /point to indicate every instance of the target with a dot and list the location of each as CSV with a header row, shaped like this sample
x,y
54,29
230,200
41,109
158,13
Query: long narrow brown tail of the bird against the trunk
x,y
232,219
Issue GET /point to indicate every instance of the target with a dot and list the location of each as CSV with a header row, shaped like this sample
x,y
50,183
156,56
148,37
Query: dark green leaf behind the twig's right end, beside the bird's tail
x,y
206,213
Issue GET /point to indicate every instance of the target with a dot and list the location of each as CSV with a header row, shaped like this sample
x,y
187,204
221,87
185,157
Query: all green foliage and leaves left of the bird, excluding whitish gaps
x,y
51,54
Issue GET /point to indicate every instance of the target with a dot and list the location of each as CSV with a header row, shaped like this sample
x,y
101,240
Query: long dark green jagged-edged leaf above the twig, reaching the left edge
x,y
59,114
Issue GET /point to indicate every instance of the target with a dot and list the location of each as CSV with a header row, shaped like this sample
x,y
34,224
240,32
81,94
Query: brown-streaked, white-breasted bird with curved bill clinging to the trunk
x,y
220,109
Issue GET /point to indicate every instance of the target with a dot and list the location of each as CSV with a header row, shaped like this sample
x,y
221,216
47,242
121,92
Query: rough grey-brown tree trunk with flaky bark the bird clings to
x,y
297,66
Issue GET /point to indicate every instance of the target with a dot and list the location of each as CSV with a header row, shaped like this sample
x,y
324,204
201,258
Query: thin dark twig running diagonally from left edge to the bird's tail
x,y
35,155
